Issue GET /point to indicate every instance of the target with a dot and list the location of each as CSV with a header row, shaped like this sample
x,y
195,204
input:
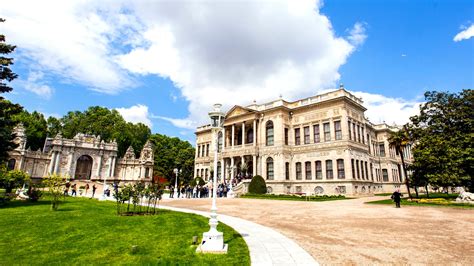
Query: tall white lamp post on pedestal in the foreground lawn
x,y
213,240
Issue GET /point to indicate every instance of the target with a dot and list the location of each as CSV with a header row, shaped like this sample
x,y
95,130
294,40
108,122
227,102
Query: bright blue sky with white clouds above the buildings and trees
x,y
165,63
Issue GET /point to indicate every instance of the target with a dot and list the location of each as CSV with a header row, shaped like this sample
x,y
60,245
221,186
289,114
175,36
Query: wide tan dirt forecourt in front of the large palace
x,y
351,232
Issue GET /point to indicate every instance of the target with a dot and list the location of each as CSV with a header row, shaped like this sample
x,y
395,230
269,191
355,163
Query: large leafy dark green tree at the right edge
x,y
442,132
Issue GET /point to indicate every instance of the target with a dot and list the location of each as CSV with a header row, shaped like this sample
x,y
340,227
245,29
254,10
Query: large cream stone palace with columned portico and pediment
x,y
318,145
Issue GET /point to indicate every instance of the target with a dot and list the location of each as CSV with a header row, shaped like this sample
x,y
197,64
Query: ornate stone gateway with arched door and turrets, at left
x,y
85,157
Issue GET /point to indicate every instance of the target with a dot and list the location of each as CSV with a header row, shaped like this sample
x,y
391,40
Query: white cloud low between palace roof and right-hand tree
x,y
389,110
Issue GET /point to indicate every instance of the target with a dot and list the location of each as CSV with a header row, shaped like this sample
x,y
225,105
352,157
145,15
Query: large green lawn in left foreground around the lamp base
x,y
85,231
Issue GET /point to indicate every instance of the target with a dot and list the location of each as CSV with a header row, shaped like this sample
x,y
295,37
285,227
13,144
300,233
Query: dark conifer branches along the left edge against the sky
x,y
7,109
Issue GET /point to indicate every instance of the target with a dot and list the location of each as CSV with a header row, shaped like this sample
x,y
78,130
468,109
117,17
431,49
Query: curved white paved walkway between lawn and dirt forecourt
x,y
266,246
